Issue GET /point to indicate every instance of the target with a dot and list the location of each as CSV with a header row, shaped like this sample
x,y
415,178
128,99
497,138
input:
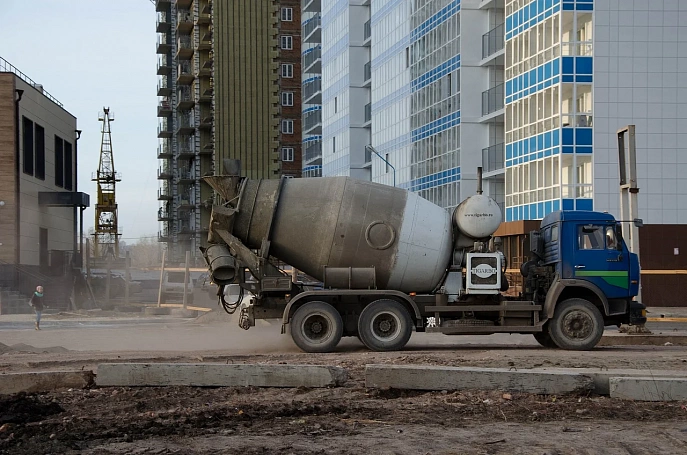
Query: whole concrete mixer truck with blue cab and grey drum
x,y
386,262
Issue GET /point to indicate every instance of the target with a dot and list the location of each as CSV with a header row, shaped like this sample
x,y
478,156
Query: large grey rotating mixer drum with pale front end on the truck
x,y
344,222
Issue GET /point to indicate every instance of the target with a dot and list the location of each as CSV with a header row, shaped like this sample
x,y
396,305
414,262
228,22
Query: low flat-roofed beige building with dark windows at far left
x,y
39,198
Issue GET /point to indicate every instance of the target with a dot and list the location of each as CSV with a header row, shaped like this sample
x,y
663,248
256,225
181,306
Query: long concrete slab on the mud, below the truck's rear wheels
x,y
219,375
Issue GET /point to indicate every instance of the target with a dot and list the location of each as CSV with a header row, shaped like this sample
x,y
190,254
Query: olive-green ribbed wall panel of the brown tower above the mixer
x,y
245,77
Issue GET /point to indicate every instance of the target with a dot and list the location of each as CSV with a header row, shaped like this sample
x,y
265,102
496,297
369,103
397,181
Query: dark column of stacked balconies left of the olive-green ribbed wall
x,y
185,111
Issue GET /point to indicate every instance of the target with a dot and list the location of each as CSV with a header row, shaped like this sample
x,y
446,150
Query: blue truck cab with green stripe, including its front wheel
x,y
584,275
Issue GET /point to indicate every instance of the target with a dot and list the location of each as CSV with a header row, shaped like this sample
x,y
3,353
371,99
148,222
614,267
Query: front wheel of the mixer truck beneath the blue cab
x,y
576,325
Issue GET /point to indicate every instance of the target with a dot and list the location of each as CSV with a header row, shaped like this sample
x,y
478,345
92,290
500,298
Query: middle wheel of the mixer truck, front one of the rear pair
x,y
385,325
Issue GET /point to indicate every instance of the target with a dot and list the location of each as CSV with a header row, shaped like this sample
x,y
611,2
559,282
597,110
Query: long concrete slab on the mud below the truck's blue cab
x,y
419,377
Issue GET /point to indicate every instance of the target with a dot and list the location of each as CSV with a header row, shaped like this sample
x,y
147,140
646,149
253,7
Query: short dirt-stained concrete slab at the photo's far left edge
x,y
44,381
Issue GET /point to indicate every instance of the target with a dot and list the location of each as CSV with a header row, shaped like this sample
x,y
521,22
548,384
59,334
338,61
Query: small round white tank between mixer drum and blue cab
x,y
478,216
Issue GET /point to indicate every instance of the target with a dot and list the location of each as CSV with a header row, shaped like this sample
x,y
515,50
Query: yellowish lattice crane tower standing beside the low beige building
x,y
106,234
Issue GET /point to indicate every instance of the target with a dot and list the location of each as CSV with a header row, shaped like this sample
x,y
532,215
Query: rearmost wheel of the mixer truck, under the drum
x,y
316,327
